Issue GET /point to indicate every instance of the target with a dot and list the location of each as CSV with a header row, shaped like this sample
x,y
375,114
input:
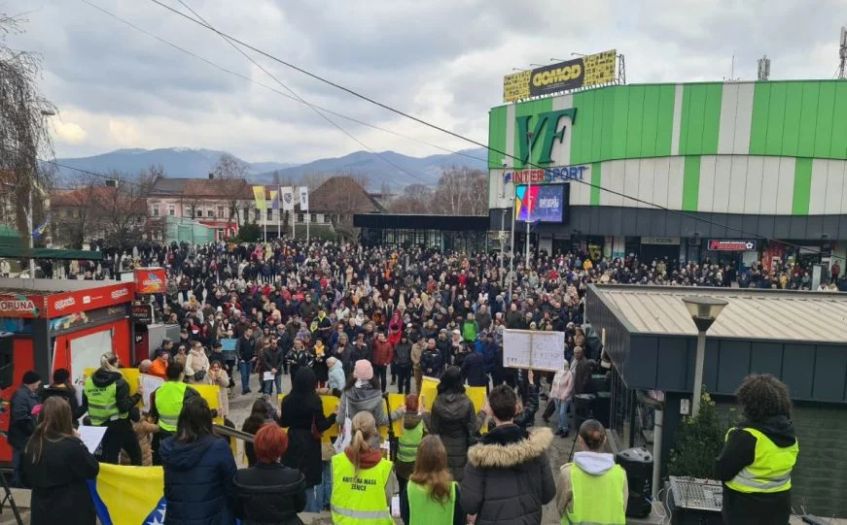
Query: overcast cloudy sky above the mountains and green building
x,y
441,60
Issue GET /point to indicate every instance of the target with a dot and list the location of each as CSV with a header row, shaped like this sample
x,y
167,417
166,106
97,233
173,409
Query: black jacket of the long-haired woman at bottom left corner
x,y
58,483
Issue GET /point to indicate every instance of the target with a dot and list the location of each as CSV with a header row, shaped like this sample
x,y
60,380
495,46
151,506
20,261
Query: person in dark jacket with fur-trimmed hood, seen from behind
x,y
508,477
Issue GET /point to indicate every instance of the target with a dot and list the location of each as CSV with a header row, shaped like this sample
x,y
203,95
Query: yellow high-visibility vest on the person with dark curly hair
x,y
771,467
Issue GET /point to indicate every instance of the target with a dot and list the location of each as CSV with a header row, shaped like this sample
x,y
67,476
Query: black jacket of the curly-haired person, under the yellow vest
x,y
739,452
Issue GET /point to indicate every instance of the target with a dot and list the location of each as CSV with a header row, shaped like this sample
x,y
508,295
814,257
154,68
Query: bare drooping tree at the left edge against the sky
x,y
24,135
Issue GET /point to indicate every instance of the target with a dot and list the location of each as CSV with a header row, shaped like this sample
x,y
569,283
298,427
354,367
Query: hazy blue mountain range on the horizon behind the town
x,y
384,169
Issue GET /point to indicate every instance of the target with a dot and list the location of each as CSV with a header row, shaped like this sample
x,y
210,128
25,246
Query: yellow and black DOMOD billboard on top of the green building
x,y
590,70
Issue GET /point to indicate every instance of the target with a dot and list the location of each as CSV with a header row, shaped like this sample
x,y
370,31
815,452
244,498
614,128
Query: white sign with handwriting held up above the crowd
x,y
533,349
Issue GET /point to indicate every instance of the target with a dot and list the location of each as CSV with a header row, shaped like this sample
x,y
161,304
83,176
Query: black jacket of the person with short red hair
x,y
269,495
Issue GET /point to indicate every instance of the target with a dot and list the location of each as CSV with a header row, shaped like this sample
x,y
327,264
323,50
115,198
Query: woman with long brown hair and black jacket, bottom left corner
x,y
56,466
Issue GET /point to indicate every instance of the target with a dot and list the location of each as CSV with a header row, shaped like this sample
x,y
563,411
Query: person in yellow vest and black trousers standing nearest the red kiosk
x,y
108,402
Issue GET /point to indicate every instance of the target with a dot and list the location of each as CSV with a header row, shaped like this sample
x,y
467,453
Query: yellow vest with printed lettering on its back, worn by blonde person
x,y
359,499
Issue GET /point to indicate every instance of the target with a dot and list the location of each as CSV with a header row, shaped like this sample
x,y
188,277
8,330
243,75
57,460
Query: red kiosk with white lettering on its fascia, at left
x,y
48,324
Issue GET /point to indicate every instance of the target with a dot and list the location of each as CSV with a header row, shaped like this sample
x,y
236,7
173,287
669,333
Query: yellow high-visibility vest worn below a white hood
x,y
597,499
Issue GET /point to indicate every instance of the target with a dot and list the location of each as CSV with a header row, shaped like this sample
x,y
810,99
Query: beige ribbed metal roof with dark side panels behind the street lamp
x,y
800,337
